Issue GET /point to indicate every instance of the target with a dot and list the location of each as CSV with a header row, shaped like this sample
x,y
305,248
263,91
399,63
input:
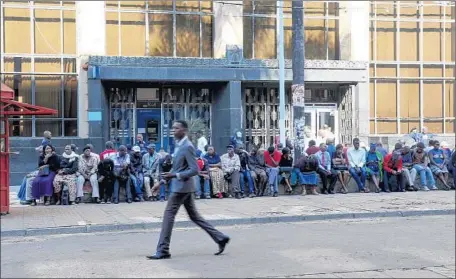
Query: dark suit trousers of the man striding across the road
x,y
175,201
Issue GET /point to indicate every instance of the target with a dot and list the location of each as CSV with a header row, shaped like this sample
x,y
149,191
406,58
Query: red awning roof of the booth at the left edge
x,y
9,107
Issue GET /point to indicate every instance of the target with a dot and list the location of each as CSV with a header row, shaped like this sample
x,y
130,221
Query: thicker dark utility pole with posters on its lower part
x,y
297,88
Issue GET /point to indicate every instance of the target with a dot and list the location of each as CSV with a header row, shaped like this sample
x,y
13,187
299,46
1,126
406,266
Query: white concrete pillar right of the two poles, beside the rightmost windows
x,y
354,45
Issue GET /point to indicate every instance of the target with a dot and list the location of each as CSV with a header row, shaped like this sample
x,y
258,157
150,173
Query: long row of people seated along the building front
x,y
238,173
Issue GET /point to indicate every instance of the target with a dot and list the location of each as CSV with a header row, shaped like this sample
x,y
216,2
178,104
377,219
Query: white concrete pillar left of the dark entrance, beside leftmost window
x,y
90,40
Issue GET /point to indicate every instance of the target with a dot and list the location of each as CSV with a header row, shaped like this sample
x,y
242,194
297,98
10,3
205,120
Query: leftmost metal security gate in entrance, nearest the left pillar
x,y
122,103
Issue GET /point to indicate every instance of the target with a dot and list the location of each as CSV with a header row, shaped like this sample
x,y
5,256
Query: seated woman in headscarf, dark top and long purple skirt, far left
x,y
42,185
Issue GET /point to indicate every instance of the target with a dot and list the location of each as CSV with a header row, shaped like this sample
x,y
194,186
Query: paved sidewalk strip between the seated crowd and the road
x,y
83,218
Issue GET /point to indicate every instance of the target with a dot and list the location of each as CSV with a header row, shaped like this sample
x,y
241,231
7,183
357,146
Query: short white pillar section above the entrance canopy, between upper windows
x,y
228,26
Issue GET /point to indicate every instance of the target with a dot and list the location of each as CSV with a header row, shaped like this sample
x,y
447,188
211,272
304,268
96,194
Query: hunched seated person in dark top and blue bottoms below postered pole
x,y
306,170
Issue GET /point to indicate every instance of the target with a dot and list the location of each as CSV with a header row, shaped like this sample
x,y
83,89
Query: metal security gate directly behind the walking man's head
x,y
190,104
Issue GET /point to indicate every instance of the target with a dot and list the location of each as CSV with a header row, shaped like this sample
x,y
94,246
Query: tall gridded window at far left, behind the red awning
x,y
41,69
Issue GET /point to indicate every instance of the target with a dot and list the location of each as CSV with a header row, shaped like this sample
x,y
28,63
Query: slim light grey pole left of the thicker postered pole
x,y
281,58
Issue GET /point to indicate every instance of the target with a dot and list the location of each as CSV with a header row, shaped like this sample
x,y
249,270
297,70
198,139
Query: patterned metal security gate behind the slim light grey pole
x,y
261,112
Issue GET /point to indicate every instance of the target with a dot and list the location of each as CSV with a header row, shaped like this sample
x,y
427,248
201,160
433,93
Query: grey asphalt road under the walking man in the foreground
x,y
390,247
